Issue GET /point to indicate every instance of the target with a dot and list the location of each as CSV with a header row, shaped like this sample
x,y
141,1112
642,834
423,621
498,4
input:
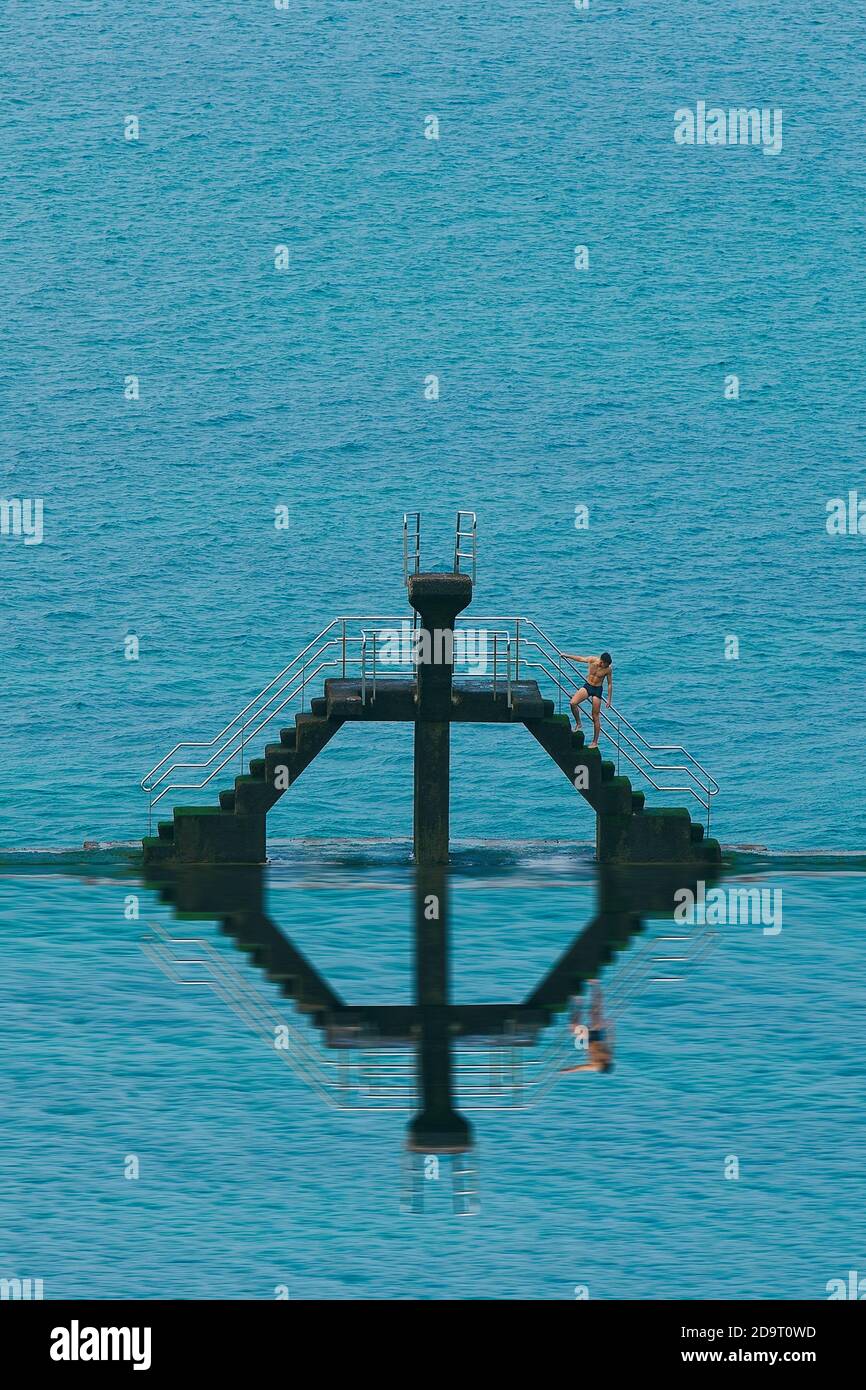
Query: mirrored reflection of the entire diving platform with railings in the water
x,y
434,1060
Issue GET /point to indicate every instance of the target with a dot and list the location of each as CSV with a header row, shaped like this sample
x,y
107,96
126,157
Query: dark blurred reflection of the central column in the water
x,y
437,1129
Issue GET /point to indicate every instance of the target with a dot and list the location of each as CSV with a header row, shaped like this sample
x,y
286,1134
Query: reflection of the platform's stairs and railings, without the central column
x,y
365,1057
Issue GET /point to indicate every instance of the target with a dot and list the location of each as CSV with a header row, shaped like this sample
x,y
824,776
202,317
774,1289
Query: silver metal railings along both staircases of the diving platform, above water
x,y
504,650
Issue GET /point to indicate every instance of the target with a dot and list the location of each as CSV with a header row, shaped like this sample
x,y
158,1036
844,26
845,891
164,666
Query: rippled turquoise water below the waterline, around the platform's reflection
x,y
251,1181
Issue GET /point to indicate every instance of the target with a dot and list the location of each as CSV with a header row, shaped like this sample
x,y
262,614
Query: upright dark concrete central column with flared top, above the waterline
x,y
437,600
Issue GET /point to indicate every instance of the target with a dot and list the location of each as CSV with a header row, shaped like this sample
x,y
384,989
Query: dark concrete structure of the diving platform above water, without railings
x,y
432,697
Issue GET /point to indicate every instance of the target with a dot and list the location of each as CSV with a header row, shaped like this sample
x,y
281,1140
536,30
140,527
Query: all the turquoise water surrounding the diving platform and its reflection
x,y
558,387
